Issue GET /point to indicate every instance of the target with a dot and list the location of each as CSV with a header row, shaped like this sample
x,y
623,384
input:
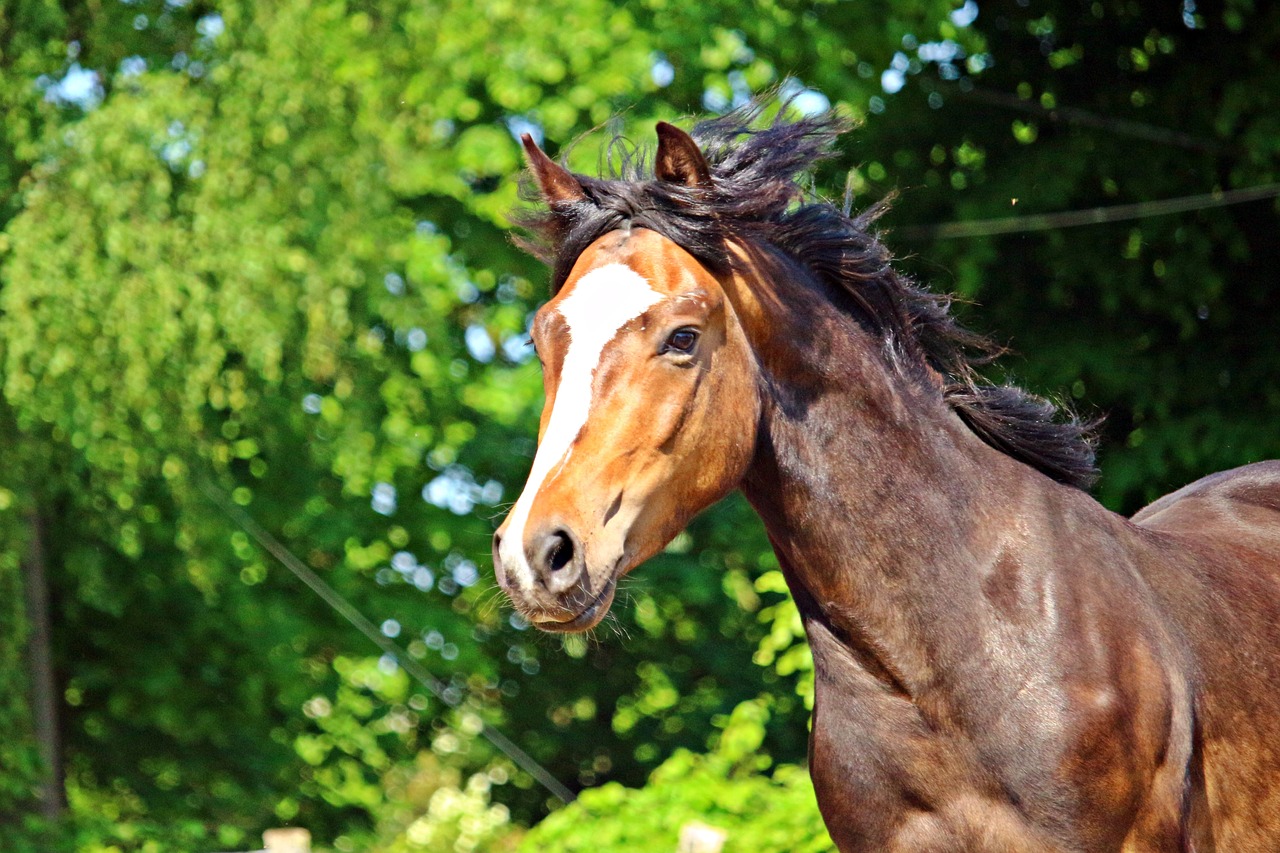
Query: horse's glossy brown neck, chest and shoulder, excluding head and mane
x,y
977,630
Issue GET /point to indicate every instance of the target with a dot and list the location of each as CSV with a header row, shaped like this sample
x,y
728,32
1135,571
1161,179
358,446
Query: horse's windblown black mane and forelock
x,y
756,197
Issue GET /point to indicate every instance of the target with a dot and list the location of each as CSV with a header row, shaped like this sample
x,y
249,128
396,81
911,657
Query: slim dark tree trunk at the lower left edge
x,y
40,659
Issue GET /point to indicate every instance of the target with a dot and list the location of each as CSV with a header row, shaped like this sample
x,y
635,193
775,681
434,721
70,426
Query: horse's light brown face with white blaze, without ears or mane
x,y
651,417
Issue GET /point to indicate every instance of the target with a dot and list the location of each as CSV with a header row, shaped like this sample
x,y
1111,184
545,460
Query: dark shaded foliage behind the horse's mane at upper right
x,y
1156,325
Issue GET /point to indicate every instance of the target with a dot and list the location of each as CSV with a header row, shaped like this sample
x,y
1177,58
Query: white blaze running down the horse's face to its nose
x,y
601,304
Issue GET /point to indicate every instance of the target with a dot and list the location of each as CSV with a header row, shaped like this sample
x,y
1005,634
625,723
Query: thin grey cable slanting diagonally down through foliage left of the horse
x,y
410,665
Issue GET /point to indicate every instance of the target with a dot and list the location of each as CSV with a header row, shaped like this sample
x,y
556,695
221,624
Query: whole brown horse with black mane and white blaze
x,y
1002,664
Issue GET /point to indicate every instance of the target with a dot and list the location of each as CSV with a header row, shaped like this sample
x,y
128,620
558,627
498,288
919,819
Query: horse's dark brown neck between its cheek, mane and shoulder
x,y
895,523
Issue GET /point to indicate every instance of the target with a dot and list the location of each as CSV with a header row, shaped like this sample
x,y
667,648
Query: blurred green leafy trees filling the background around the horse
x,y
258,294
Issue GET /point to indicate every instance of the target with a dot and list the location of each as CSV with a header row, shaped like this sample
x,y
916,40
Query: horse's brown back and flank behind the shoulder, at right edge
x,y
1220,571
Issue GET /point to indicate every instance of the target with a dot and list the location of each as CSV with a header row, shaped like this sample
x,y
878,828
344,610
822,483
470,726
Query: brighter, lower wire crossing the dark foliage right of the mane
x,y
1089,217
